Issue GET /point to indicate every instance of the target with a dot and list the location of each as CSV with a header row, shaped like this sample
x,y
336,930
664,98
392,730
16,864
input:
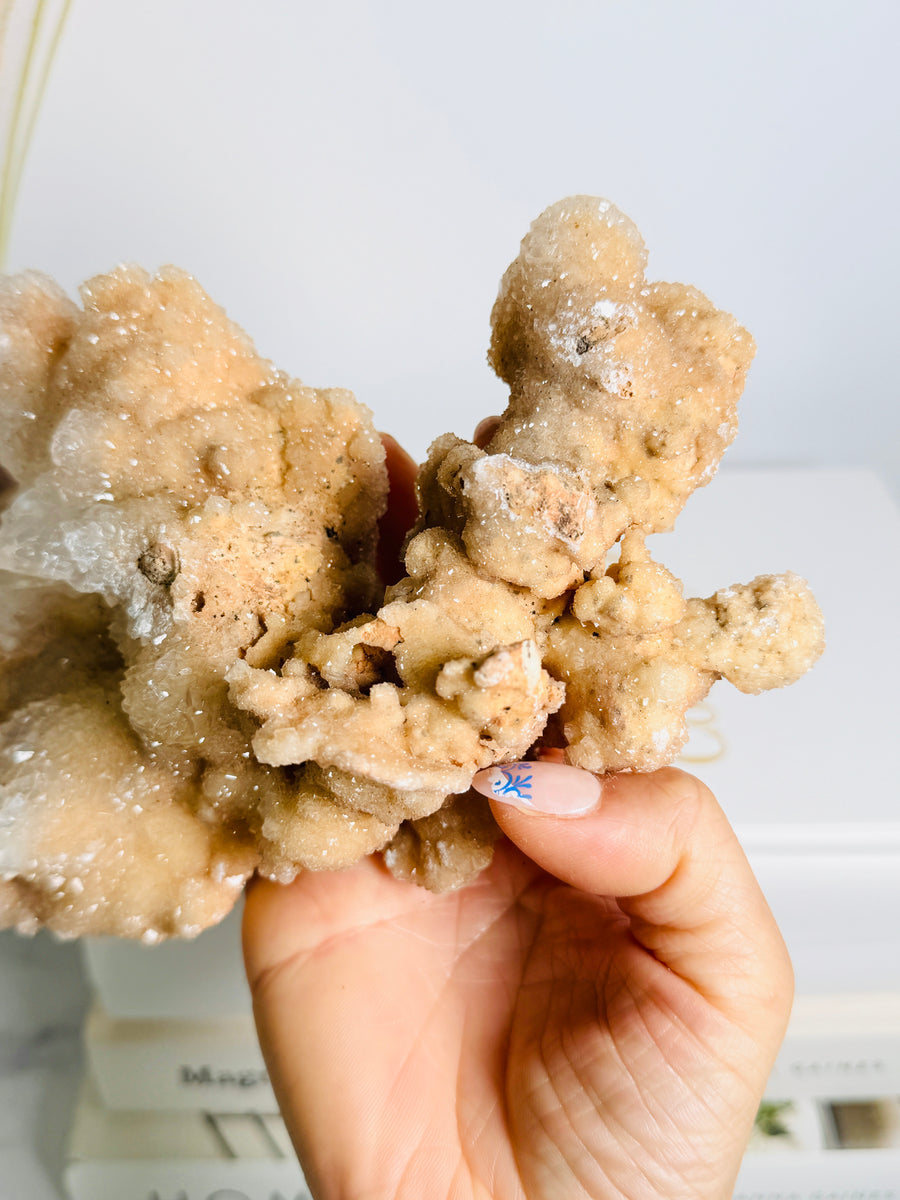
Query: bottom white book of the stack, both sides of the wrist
x,y
799,1149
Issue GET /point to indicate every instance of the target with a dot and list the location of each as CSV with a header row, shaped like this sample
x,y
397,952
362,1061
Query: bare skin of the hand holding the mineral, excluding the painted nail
x,y
596,1017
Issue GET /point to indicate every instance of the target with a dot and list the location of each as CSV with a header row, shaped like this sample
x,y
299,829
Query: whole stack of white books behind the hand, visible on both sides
x,y
179,1106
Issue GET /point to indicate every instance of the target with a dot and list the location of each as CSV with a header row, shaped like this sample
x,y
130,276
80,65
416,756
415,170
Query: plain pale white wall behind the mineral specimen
x,y
351,181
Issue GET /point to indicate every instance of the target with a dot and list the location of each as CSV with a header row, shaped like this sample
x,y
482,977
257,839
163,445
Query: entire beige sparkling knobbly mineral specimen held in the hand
x,y
201,675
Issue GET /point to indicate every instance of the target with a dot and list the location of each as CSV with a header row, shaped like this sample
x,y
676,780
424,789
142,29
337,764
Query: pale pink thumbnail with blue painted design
x,y
548,788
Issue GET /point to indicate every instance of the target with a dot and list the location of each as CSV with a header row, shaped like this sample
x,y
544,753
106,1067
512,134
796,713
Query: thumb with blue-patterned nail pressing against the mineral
x,y
661,845
